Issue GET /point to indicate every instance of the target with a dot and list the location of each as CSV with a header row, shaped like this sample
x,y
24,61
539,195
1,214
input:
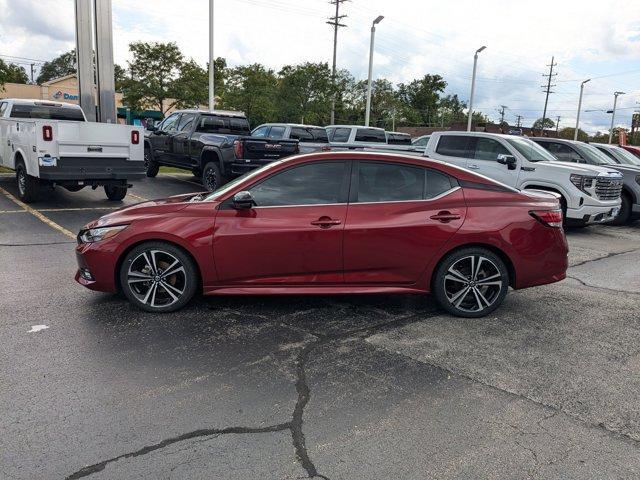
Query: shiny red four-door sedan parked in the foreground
x,y
332,223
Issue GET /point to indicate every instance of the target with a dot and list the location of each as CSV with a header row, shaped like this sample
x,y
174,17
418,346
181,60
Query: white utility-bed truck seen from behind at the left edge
x,y
51,144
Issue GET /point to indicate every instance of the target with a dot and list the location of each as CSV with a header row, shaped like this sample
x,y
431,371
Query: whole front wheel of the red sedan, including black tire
x,y
172,292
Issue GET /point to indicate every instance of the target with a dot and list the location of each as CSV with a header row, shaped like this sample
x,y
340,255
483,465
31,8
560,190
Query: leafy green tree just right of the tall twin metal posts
x,y
153,70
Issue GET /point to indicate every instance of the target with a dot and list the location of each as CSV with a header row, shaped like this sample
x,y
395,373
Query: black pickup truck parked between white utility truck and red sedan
x,y
215,146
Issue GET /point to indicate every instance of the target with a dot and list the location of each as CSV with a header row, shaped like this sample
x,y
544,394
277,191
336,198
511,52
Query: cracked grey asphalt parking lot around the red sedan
x,y
349,387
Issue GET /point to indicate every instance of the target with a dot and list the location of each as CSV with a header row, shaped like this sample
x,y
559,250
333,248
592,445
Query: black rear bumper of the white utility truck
x,y
92,169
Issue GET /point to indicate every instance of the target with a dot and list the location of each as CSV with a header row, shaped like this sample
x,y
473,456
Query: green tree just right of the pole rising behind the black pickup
x,y
252,89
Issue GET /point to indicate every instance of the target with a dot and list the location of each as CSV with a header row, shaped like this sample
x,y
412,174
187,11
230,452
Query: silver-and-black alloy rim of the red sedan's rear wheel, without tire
x,y
473,283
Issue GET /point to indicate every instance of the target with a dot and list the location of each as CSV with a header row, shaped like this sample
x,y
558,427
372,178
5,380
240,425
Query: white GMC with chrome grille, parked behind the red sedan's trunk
x,y
589,194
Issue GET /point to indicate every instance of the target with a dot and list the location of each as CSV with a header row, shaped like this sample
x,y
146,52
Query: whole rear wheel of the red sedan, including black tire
x,y
485,290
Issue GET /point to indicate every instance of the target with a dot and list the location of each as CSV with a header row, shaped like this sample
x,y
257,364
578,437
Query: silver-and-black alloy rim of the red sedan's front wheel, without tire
x,y
157,278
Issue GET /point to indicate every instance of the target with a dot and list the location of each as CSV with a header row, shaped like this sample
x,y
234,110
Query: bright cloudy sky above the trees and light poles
x,y
588,39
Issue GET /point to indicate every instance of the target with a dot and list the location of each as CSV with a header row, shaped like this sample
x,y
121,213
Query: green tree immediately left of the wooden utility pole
x,y
304,93
